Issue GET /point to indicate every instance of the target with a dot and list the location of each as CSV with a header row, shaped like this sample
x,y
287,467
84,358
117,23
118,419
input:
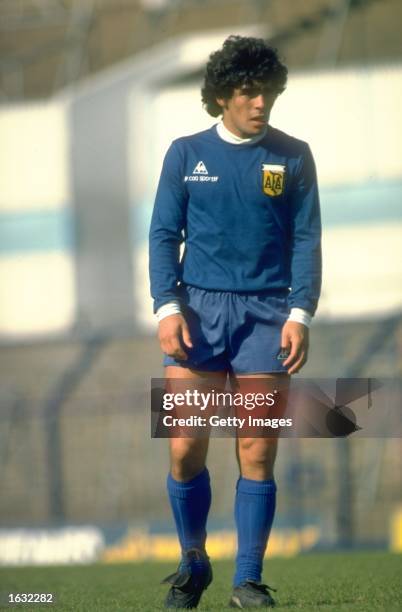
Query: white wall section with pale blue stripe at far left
x,y
37,292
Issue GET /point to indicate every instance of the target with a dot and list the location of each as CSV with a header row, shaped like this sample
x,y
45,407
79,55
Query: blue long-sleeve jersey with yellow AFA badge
x,y
248,215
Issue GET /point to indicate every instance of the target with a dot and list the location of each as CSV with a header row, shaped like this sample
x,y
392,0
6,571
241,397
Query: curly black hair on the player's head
x,y
241,61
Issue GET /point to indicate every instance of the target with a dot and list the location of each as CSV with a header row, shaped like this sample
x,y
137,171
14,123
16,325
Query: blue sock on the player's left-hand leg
x,y
190,503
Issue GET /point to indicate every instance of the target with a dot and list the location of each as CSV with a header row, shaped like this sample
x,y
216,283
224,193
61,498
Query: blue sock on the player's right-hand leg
x,y
254,514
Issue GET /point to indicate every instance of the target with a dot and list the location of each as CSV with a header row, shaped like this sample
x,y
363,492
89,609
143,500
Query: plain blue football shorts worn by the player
x,y
238,332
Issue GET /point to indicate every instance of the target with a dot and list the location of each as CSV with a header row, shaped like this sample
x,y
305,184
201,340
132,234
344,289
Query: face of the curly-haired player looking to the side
x,y
247,112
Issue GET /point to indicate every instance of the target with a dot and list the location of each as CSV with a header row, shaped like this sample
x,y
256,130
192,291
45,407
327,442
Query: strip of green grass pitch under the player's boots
x,y
355,581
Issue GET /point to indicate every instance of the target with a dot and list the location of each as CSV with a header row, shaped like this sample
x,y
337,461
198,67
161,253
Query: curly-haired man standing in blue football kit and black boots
x,y
243,198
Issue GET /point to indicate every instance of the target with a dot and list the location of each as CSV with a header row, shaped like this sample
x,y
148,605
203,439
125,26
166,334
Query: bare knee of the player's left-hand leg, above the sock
x,y
187,457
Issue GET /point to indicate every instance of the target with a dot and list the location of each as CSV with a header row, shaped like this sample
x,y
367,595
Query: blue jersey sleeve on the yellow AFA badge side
x,y
306,265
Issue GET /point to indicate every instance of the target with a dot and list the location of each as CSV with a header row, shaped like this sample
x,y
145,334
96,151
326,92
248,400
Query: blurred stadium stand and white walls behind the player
x,y
92,92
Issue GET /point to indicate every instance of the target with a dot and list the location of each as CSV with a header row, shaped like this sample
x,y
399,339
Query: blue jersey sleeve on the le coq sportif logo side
x,y
166,232
